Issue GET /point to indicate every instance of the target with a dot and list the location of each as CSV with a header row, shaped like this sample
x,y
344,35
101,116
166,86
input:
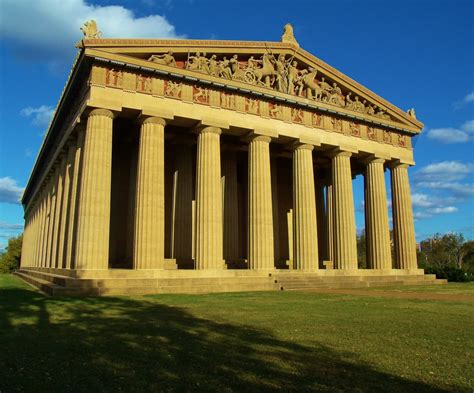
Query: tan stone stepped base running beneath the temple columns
x,y
55,284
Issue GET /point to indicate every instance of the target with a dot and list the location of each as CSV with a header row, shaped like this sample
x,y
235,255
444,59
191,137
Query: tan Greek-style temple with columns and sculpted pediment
x,y
206,166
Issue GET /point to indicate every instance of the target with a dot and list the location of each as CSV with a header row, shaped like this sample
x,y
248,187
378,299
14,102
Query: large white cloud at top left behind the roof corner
x,y
53,26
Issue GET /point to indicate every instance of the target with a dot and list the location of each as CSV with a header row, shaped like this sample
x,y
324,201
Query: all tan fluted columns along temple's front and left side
x,y
67,224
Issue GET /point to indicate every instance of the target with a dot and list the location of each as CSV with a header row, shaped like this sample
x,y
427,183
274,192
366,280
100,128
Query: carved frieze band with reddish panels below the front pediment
x,y
203,95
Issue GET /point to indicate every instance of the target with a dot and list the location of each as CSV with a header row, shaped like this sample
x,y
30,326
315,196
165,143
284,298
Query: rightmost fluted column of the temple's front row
x,y
403,225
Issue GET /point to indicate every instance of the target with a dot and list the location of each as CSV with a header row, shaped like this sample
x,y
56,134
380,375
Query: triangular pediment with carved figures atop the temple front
x,y
278,69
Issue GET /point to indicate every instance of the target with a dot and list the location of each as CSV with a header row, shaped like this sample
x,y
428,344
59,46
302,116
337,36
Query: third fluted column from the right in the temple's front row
x,y
345,247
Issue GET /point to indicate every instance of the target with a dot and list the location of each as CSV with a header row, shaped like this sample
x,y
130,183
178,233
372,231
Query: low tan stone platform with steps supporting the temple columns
x,y
141,282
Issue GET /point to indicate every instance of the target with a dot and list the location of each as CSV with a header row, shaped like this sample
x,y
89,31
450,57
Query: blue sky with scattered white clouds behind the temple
x,y
413,53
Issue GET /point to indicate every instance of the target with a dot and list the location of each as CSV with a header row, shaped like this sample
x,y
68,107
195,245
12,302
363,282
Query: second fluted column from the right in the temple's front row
x,y
376,212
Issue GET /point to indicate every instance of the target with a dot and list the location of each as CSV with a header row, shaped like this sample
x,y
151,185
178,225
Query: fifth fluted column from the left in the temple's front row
x,y
304,199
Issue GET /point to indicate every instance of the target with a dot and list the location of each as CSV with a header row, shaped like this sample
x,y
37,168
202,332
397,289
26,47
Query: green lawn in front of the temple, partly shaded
x,y
273,341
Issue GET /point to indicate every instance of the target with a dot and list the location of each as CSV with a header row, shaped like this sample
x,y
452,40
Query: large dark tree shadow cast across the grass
x,y
137,345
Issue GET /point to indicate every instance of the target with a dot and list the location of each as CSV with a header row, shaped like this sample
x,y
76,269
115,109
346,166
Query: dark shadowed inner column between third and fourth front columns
x,y
230,206
